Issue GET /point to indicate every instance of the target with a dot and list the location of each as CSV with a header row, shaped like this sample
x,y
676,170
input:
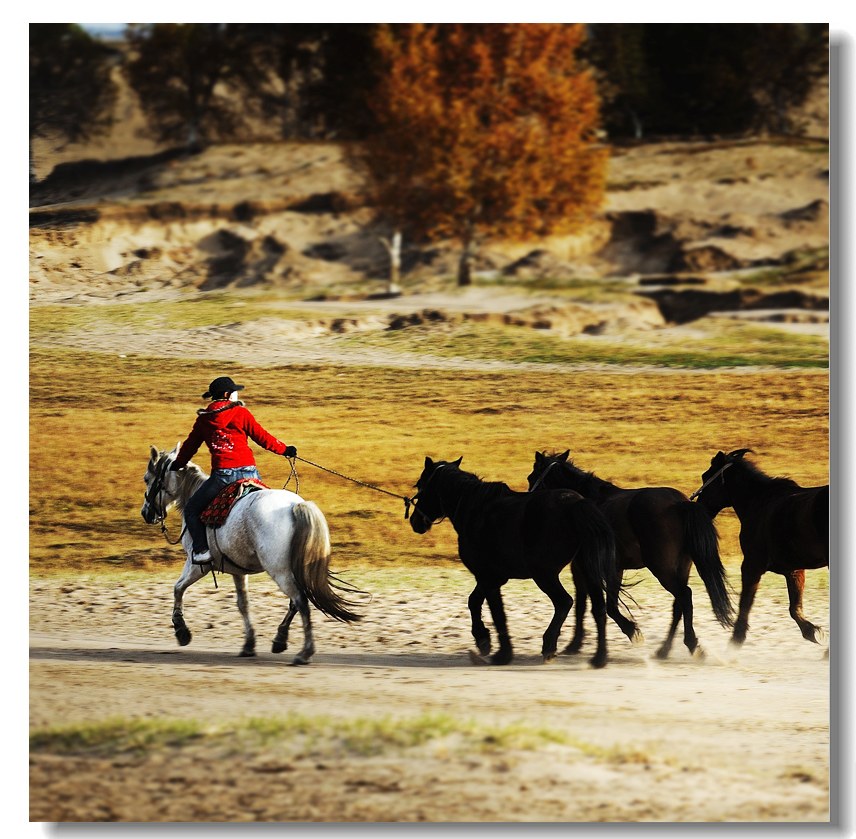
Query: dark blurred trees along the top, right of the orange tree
x,y
705,78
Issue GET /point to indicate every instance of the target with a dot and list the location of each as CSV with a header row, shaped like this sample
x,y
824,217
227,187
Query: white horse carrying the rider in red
x,y
271,530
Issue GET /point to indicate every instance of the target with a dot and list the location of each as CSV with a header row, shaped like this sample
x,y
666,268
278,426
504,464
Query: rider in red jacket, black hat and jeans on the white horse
x,y
224,427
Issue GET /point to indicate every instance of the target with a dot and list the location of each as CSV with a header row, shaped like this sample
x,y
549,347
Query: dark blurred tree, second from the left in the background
x,y
195,81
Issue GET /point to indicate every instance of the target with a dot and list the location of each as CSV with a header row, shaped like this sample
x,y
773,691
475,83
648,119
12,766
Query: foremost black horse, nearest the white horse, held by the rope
x,y
503,535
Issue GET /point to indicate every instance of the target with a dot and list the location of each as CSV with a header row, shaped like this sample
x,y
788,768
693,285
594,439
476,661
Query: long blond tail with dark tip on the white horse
x,y
310,563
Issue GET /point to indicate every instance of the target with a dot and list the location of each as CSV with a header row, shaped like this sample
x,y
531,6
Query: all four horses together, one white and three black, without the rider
x,y
568,517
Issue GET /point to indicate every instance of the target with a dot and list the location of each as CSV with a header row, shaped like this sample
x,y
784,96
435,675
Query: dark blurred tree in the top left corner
x,y
72,94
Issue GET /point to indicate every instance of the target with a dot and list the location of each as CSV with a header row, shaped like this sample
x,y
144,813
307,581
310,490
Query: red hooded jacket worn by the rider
x,y
224,427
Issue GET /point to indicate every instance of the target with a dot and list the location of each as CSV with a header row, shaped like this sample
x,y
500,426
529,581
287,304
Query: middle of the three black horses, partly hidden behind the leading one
x,y
657,528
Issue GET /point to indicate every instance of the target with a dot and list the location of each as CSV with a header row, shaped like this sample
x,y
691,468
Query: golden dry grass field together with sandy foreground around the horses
x,y
391,722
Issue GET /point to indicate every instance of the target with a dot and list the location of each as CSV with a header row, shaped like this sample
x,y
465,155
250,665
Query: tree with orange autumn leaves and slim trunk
x,y
484,131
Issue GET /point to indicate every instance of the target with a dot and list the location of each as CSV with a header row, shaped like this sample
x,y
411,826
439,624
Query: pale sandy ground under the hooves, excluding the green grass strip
x,y
738,736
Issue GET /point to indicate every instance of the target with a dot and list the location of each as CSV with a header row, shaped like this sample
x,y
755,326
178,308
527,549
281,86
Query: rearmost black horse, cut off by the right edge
x,y
784,528
